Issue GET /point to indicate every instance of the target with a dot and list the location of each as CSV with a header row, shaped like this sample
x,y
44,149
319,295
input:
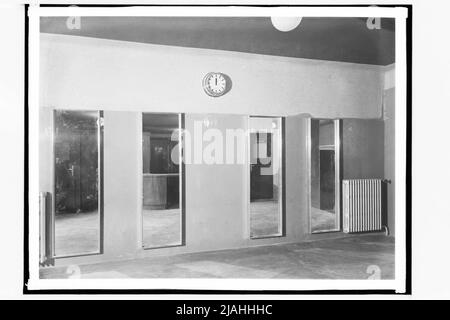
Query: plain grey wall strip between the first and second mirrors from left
x,y
121,180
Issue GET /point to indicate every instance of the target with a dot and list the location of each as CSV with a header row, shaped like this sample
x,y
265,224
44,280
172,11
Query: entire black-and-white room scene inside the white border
x,y
216,147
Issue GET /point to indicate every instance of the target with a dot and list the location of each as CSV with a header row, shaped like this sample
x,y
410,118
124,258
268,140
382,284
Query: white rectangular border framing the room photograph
x,y
398,284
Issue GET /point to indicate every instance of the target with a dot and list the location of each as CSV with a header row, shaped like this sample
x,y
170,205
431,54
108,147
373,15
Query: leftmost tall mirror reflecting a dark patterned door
x,y
76,221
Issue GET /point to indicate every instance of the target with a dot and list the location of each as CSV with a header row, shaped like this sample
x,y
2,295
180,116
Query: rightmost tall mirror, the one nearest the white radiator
x,y
323,176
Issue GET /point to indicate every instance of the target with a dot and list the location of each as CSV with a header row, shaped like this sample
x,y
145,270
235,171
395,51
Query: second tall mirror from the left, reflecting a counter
x,y
161,214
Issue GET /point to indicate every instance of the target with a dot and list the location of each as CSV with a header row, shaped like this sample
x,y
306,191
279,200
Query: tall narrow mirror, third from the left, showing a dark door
x,y
265,177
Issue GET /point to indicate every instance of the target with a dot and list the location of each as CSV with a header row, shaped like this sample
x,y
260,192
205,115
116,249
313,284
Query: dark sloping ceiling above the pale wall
x,y
335,39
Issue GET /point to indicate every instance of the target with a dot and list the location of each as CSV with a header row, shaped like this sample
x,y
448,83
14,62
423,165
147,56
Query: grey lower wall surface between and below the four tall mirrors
x,y
216,195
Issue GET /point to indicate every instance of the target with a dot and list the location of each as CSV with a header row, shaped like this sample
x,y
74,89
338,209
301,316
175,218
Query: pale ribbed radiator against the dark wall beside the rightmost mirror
x,y
362,205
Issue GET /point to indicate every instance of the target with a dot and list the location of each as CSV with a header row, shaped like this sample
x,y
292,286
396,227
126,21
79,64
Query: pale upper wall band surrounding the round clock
x,y
89,73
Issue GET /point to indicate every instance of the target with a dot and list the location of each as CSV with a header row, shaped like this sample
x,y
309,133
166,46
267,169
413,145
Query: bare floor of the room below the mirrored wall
x,y
343,258
